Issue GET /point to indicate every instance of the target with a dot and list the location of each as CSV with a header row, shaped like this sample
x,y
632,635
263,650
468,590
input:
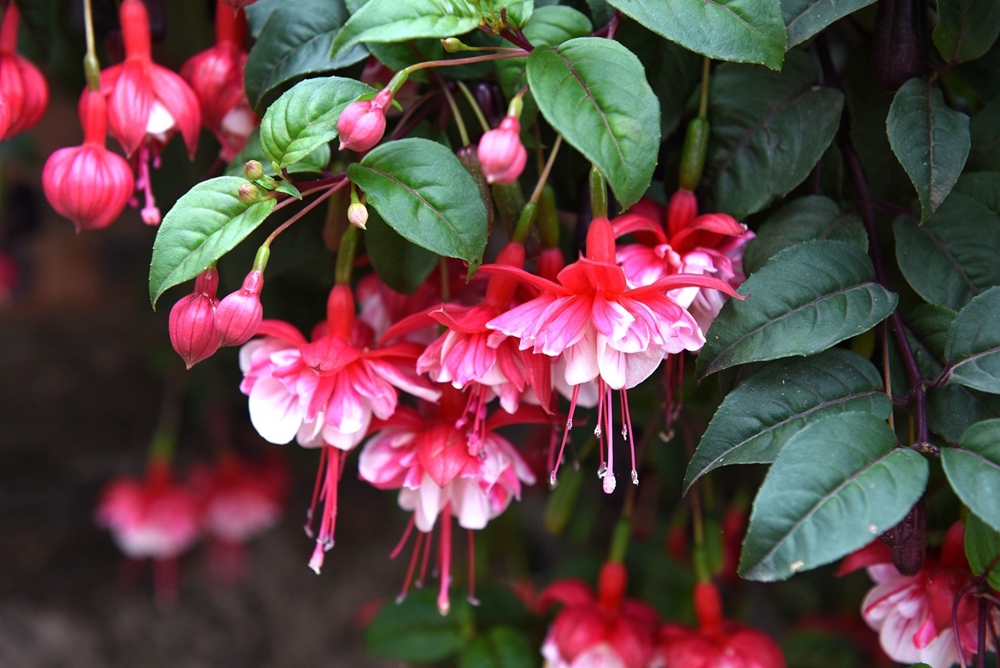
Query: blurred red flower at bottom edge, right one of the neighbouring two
x,y
717,642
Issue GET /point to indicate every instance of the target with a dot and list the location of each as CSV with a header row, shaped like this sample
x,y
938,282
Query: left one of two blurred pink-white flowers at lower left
x,y
152,518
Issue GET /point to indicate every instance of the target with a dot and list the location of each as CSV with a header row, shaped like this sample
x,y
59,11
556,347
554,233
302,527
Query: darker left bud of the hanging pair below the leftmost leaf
x,y
192,321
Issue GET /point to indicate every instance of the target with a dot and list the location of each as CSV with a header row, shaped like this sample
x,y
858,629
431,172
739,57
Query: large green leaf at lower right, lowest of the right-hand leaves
x,y
836,485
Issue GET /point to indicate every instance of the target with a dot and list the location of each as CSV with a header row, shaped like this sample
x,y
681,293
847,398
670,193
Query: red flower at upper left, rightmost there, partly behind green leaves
x,y
216,77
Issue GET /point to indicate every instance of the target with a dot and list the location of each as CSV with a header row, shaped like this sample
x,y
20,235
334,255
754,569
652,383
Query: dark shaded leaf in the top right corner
x,y
966,29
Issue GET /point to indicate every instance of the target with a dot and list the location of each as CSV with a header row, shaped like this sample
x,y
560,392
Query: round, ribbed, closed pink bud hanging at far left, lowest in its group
x,y
88,184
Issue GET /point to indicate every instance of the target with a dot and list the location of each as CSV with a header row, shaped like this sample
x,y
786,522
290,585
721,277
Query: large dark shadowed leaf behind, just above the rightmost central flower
x,y
769,130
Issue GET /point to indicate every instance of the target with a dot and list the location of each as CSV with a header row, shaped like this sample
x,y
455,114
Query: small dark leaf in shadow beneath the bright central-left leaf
x,y
402,265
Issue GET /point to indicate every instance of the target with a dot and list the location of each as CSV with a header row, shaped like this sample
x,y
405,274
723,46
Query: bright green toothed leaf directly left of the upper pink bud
x,y
305,117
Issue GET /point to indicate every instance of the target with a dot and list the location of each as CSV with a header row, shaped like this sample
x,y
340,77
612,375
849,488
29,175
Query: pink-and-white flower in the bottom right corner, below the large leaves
x,y
913,613
